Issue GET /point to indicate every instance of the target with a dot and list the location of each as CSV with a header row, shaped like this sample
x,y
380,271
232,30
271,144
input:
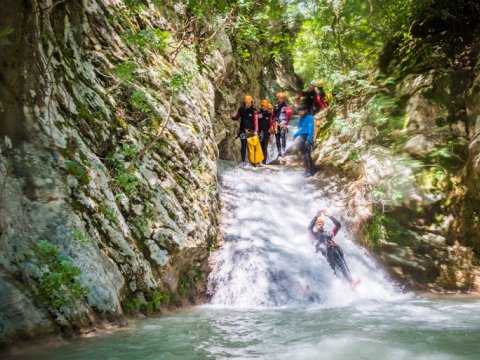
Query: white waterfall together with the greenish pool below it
x,y
272,297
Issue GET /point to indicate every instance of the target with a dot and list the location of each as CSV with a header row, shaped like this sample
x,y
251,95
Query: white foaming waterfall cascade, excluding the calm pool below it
x,y
267,259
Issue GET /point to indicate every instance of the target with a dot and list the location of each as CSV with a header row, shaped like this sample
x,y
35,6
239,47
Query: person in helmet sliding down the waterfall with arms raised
x,y
324,243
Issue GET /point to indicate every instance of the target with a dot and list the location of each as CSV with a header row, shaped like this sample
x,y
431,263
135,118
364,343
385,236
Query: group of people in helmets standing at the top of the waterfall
x,y
273,121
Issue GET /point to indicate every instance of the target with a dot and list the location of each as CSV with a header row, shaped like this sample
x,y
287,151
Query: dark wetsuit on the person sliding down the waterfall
x,y
325,244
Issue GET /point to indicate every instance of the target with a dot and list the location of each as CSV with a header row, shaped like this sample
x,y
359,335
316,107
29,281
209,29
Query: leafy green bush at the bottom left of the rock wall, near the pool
x,y
58,286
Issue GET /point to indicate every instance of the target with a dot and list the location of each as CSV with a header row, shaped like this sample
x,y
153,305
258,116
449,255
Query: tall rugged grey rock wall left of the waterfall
x,y
84,87
